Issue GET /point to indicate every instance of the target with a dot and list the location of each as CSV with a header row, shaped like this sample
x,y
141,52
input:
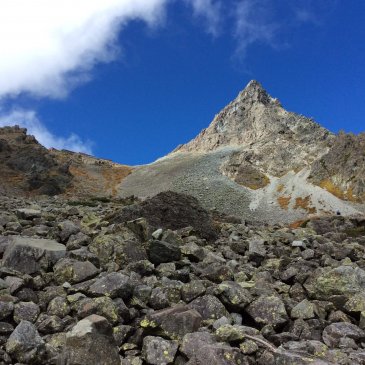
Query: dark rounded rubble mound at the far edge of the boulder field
x,y
170,210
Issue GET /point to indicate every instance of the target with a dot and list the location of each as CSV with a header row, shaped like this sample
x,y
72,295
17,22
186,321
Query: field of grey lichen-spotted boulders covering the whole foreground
x,y
166,282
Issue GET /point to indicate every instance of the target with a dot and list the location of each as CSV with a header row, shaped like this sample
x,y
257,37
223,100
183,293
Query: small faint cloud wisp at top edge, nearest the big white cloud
x,y
211,11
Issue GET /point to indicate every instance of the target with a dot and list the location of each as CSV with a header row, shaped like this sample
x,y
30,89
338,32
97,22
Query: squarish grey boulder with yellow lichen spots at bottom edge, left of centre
x,y
157,351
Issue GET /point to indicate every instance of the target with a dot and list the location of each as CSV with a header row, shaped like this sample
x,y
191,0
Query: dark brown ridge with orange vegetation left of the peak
x,y
26,167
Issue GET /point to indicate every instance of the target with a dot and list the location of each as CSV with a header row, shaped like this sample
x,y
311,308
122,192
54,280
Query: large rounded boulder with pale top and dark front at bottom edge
x,y
90,342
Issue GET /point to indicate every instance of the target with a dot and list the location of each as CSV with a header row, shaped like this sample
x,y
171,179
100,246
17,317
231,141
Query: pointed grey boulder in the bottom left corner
x,y
25,345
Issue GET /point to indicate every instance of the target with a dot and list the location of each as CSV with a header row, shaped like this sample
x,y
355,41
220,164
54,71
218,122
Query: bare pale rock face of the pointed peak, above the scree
x,y
271,141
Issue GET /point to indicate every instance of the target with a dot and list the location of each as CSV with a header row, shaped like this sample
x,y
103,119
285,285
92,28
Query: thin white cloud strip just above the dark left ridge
x,y
28,119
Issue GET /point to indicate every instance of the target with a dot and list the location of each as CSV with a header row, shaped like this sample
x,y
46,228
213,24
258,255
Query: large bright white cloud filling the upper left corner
x,y
48,46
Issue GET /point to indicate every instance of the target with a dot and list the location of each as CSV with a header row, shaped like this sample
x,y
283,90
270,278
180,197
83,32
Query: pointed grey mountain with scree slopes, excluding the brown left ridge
x,y
260,161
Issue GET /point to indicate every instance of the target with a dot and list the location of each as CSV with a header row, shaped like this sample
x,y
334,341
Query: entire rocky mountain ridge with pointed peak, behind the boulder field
x,y
255,160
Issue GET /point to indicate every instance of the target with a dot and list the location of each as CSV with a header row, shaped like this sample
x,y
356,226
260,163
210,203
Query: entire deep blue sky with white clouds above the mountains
x,y
133,82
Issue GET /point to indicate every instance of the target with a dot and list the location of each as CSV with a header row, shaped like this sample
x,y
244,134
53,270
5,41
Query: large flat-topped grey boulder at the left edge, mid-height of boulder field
x,y
30,255
